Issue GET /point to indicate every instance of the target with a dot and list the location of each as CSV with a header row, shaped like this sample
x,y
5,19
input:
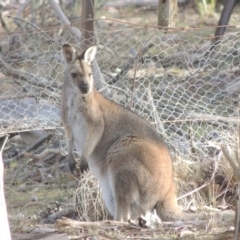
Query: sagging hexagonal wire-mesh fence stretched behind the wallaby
x,y
187,93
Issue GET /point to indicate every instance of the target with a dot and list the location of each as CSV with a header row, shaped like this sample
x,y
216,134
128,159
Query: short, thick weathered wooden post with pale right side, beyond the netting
x,y
167,13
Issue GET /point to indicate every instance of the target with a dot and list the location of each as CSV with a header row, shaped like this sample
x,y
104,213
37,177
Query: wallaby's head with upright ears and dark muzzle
x,y
79,67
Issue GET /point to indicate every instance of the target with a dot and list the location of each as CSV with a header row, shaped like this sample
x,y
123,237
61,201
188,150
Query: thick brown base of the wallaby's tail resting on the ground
x,y
168,209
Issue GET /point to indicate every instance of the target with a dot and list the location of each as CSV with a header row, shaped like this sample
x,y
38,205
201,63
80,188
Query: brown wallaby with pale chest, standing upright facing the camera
x,y
123,151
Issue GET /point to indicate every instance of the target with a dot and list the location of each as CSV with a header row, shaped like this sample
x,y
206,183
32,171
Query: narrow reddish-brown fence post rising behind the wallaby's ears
x,y
87,25
